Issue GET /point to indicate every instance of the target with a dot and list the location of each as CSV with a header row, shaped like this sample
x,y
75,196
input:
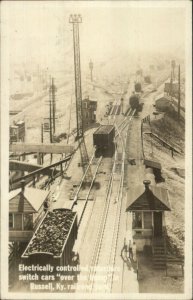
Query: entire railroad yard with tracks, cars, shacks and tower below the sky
x,y
111,158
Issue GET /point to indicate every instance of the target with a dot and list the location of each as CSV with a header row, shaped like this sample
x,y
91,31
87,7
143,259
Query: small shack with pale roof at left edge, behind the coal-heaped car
x,y
27,206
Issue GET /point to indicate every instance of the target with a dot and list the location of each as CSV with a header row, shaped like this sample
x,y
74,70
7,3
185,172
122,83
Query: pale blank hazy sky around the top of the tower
x,y
40,31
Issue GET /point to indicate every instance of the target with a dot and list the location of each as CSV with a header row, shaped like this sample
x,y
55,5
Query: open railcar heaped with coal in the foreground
x,y
53,240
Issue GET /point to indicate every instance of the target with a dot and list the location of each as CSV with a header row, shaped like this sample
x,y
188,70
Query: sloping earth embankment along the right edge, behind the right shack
x,y
173,170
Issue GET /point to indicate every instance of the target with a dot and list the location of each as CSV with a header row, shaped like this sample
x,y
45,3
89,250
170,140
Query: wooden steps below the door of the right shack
x,y
159,256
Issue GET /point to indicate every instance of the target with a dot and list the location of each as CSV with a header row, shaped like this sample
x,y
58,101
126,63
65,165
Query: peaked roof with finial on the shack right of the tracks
x,y
151,199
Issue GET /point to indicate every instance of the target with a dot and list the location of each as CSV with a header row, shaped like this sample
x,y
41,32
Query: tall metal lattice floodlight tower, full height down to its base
x,y
75,20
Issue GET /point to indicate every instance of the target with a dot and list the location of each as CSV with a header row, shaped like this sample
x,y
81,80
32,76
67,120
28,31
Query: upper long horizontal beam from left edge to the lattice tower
x,y
41,148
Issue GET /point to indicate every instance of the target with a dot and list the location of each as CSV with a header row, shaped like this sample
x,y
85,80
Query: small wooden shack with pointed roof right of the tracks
x,y
147,205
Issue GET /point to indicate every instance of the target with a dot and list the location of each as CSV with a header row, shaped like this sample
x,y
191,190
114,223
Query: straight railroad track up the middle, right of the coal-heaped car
x,y
107,234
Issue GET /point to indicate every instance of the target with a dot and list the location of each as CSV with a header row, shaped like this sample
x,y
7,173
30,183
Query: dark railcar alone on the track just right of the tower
x,y
103,140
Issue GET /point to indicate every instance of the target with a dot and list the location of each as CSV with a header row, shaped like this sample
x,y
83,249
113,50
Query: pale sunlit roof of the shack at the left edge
x,y
28,201
